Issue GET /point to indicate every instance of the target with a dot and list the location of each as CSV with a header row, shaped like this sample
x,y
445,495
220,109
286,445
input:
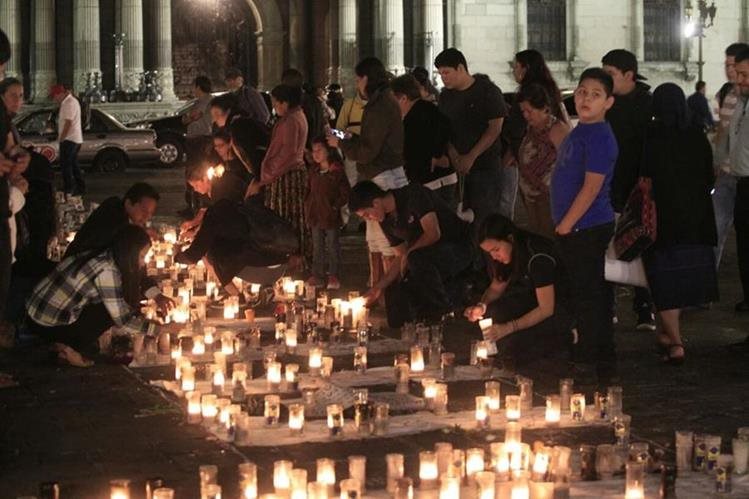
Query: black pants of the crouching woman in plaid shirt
x,y
82,335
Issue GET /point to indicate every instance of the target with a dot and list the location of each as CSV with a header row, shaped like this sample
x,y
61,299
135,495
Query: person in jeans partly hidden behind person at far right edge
x,y
724,195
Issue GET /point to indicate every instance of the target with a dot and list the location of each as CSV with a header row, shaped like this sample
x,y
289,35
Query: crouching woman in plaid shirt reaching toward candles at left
x,y
90,292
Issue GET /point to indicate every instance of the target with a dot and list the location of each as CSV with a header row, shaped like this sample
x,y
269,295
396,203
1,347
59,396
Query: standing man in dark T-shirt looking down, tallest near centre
x,y
476,110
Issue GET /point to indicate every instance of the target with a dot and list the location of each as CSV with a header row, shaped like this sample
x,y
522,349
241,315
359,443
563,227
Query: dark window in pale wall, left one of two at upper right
x,y
547,28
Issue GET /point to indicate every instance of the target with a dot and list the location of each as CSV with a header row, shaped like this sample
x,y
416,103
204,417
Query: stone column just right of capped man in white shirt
x,y
86,44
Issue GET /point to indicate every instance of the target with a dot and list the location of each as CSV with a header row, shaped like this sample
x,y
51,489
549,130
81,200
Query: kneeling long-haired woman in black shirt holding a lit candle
x,y
523,298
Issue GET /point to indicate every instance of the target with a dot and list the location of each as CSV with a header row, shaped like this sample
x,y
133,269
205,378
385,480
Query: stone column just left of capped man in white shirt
x,y
43,74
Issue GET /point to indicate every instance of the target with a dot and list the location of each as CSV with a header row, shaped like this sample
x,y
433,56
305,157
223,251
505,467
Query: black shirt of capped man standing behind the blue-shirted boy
x,y
629,117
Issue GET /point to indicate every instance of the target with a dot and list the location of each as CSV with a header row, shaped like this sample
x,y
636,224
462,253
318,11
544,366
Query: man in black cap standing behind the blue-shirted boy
x,y
628,117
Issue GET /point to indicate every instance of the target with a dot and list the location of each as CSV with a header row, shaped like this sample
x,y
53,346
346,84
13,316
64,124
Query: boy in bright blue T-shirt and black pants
x,y
584,218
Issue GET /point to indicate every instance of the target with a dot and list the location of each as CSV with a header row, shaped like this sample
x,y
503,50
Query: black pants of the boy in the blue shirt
x,y
583,255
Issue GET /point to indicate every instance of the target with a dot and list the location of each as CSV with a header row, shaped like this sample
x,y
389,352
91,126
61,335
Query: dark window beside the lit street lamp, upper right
x,y
662,29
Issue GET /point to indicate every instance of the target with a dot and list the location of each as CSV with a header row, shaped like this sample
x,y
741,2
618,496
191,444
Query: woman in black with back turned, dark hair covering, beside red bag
x,y
680,265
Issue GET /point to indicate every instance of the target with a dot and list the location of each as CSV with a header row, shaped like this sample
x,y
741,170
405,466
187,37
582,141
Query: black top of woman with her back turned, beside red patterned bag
x,y
680,162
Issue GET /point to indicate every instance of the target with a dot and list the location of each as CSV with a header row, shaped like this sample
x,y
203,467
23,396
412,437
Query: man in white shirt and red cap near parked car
x,y
70,137
